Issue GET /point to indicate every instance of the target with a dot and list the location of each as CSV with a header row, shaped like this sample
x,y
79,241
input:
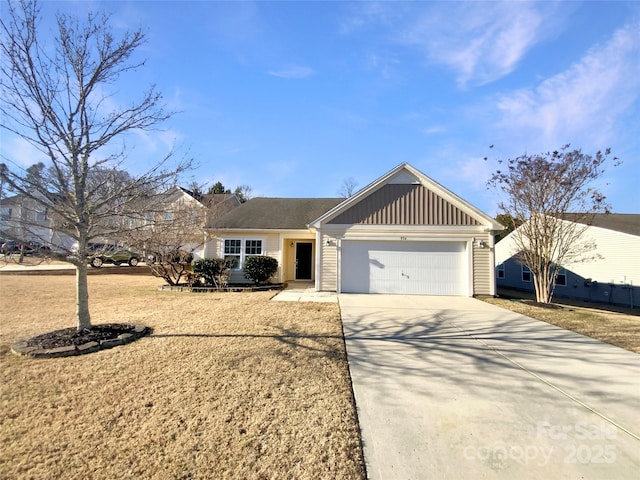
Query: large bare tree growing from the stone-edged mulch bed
x,y
58,94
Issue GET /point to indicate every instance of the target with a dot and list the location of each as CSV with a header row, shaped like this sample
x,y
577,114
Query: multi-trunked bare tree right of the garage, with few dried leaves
x,y
555,193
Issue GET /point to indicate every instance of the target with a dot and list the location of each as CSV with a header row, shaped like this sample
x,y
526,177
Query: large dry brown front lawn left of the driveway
x,y
228,386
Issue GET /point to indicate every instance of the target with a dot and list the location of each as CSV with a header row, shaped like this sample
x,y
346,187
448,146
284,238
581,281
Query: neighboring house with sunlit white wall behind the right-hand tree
x,y
612,277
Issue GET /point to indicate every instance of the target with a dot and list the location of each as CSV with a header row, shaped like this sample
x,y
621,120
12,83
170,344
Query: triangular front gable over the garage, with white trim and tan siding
x,y
405,196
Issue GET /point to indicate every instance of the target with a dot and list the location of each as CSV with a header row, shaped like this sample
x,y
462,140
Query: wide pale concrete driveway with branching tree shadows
x,y
452,387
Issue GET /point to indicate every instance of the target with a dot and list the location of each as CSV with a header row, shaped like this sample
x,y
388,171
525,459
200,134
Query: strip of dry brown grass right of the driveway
x,y
620,328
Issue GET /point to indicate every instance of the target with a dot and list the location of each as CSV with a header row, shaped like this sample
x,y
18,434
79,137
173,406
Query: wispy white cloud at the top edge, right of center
x,y
480,41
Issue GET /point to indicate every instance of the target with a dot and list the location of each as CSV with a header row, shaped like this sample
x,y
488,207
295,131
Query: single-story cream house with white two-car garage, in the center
x,y
404,233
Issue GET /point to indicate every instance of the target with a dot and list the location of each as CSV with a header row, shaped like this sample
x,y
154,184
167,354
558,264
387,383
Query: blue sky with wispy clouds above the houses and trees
x,y
292,98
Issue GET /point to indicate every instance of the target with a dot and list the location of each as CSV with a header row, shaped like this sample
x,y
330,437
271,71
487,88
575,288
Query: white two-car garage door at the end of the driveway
x,y
426,268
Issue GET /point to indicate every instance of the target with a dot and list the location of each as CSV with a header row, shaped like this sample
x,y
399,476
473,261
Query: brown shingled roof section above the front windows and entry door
x,y
275,213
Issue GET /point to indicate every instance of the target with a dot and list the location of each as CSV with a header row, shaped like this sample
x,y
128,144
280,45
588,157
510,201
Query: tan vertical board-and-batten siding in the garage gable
x,y
403,204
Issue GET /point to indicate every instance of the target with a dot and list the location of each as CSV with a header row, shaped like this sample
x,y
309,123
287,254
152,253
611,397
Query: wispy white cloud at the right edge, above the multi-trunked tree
x,y
583,103
